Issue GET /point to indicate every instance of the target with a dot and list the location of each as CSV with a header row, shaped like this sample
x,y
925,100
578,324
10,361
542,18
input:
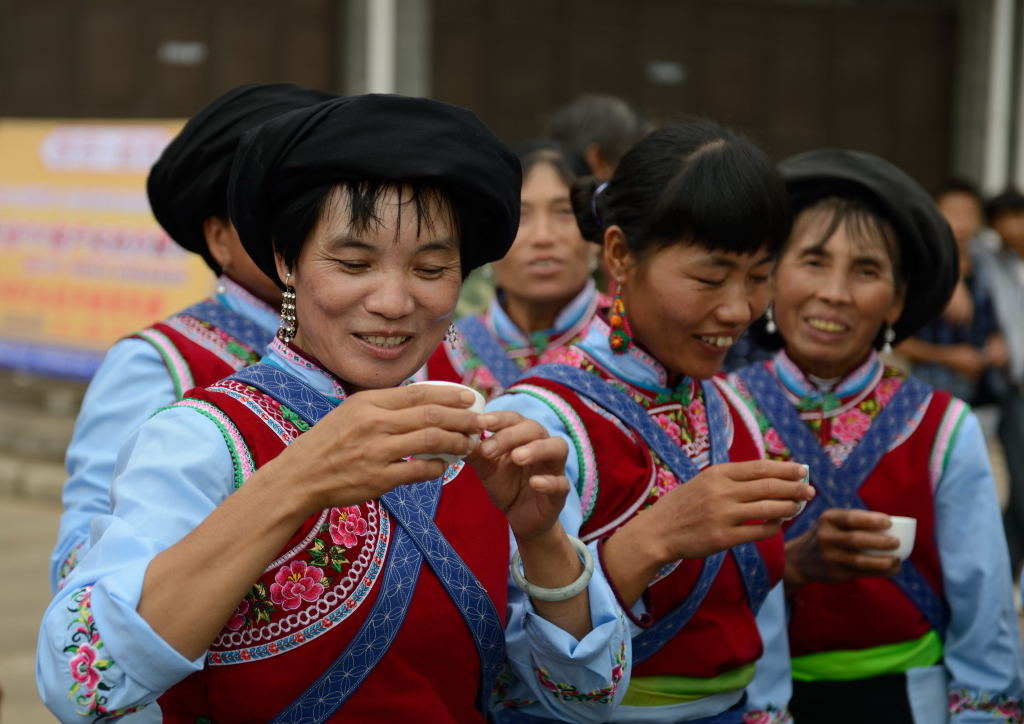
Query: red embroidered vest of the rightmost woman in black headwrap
x,y
873,612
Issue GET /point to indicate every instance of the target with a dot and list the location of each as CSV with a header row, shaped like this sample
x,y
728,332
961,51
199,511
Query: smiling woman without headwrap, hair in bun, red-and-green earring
x,y
691,225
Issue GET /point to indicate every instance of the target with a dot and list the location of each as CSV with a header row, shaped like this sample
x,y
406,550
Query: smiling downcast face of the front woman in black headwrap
x,y
372,305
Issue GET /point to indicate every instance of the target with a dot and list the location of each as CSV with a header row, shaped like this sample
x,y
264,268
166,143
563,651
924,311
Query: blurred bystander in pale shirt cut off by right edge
x,y
1003,272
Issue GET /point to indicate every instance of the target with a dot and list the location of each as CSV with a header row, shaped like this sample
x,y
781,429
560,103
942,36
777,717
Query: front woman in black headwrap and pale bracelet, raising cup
x,y
277,556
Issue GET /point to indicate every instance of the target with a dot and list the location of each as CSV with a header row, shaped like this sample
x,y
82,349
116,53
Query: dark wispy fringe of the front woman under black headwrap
x,y
296,222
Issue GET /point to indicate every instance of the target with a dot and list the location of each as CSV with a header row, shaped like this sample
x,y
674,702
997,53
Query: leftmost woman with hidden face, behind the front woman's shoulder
x,y
155,367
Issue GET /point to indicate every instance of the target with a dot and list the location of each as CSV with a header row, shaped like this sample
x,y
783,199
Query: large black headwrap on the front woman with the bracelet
x,y
392,140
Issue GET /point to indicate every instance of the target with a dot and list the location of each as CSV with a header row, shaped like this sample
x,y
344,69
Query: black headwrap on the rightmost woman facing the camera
x,y
929,258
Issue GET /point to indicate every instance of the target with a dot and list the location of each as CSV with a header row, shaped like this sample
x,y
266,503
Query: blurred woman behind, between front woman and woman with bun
x,y
546,294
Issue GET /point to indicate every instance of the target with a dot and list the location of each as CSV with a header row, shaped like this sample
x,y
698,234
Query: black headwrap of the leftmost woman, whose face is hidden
x,y
189,183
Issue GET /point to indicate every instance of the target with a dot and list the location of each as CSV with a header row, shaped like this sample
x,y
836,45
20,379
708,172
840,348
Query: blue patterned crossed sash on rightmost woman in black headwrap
x,y
838,488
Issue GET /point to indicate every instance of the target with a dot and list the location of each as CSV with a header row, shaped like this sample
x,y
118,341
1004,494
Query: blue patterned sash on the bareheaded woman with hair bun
x,y
748,558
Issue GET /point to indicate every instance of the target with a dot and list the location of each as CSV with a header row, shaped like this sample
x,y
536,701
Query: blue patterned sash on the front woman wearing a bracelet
x,y
416,538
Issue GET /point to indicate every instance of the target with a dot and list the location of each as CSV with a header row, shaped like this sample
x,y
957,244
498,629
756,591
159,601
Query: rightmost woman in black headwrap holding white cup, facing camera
x,y
877,636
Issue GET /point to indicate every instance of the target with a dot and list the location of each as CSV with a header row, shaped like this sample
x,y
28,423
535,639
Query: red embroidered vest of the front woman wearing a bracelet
x,y
311,602
